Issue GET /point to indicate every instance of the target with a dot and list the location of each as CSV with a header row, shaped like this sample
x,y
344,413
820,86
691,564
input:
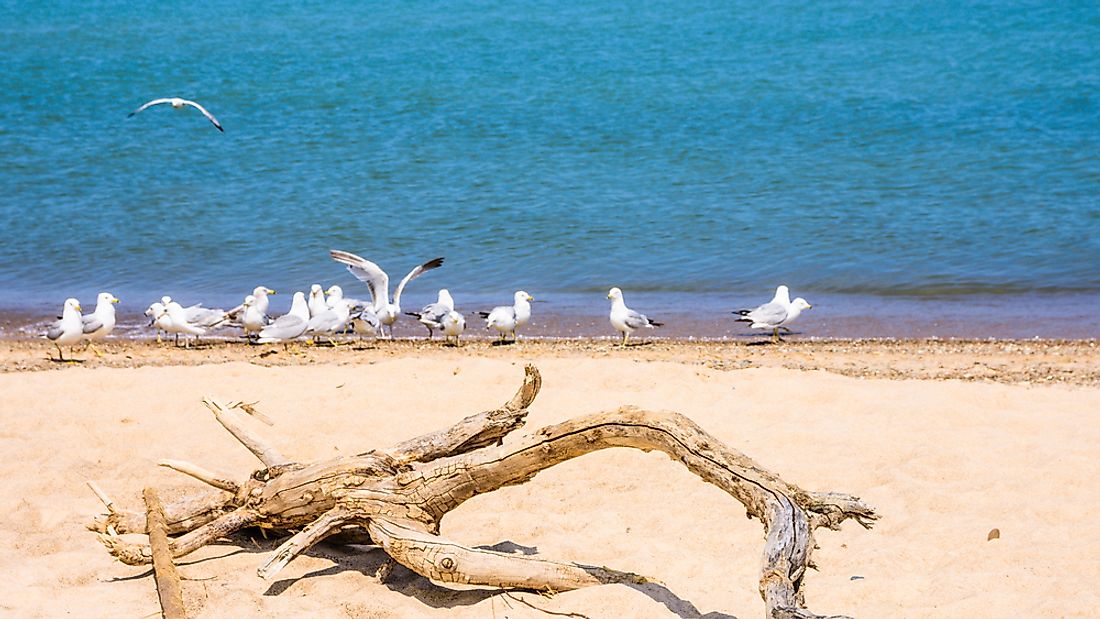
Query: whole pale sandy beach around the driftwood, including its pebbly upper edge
x,y
948,440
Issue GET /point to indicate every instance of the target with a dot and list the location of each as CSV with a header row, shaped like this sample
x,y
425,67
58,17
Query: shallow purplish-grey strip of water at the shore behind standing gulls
x,y
692,317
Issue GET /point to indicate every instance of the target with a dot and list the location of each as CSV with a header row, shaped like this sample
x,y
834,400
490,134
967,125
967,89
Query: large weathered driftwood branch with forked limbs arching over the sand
x,y
399,496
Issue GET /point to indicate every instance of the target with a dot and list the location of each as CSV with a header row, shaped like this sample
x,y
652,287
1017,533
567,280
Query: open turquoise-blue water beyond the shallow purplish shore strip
x,y
848,149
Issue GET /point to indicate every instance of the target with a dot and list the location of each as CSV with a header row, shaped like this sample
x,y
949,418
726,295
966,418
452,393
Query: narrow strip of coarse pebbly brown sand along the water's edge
x,y
1014,362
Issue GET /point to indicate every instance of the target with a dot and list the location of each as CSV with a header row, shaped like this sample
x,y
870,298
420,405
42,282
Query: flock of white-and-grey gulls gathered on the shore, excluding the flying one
x,y
328,314
